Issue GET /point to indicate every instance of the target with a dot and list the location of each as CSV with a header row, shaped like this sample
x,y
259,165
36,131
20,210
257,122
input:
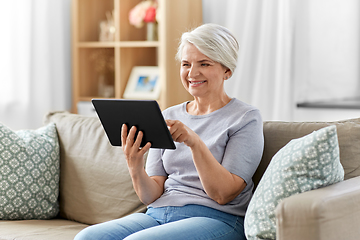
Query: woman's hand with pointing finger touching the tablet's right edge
x,y
181,133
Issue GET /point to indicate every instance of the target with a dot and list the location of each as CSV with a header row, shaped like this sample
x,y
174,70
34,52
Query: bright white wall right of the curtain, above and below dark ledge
x,y
326,62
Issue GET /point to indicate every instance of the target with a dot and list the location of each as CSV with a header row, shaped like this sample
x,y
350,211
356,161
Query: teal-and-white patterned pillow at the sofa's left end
x,y
29,173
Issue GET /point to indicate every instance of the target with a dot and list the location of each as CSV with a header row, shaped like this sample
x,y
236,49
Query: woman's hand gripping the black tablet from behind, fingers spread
x,y
133,153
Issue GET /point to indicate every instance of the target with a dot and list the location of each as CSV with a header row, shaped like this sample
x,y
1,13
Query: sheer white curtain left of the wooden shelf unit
x,y
35,66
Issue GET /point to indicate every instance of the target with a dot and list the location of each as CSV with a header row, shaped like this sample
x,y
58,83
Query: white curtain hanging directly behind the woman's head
x,y
265,30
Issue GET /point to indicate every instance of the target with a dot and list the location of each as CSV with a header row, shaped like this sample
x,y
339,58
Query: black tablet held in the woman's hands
x,y
145,115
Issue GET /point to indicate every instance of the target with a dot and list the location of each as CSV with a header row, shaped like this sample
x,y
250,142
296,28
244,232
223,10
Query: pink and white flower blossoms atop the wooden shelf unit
x,y
144,12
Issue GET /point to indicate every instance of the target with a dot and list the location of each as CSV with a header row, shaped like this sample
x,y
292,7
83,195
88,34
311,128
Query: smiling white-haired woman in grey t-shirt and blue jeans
x,y
200,190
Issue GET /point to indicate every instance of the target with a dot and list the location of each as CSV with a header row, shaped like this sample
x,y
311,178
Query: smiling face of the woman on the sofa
x,y
201,76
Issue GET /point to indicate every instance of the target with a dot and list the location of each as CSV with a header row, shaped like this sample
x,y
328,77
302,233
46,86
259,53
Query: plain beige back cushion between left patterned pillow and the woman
x,y
95,185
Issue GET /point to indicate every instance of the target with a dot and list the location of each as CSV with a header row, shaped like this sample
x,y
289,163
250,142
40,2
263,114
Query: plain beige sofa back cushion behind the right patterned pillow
x,y
277,134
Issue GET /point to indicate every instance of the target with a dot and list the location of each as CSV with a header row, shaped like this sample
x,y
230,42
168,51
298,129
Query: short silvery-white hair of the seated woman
x,y
215,42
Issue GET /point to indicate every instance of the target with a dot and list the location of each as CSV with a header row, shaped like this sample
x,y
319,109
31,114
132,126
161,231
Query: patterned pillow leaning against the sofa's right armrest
x,y
303,164
